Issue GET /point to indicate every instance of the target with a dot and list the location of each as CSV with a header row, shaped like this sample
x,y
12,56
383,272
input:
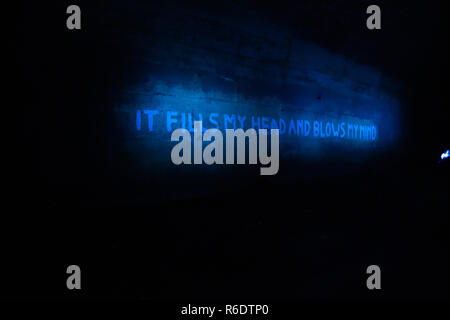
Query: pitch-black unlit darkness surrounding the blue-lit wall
x,y
303,240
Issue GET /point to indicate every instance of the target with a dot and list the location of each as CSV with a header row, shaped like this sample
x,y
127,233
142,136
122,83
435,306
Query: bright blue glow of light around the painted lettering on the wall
x,y
327,107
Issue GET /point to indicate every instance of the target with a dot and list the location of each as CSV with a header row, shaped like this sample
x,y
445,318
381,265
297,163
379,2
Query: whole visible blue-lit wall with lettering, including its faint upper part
x,y
242,71
